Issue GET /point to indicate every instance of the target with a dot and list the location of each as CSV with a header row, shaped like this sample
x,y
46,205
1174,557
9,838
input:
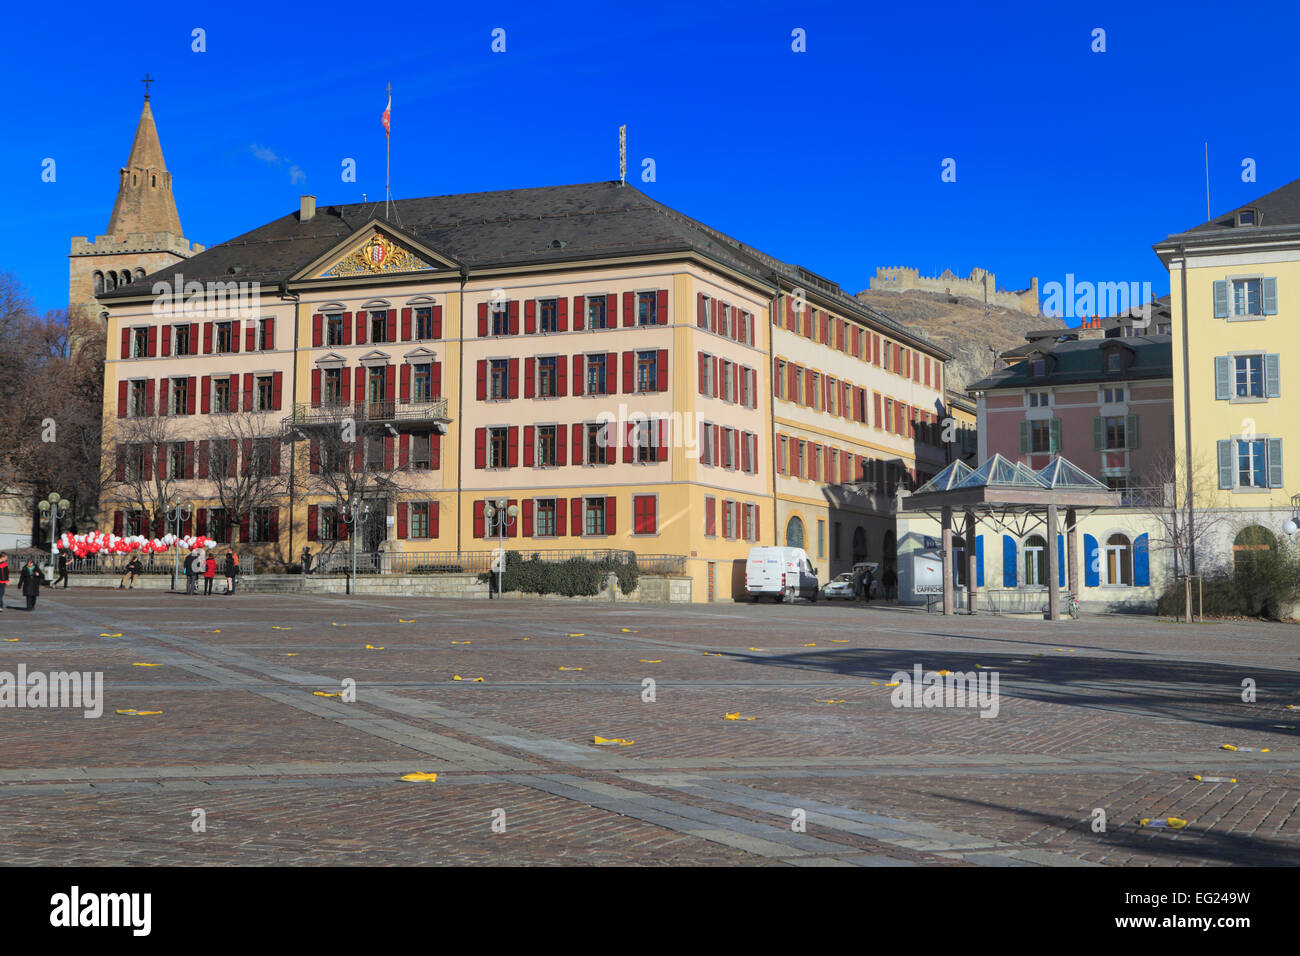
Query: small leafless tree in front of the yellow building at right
x,y
1188,525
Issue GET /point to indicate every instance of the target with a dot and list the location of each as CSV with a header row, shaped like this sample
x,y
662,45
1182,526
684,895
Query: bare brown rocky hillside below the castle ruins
x,y
964,327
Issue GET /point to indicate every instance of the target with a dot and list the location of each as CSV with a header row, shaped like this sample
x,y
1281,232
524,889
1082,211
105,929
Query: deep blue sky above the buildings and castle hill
x,y
1068,162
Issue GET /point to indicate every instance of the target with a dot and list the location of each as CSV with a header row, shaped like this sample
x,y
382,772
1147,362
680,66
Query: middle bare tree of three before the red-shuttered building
x,y
245,466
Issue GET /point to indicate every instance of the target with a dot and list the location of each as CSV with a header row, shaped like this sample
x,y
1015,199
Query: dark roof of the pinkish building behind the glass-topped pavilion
x,y
1081,362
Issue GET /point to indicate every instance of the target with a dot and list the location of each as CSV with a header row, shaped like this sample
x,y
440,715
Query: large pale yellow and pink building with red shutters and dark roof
x,y
584,353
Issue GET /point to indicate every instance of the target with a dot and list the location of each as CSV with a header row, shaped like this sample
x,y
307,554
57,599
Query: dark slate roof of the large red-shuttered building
x,y
509,228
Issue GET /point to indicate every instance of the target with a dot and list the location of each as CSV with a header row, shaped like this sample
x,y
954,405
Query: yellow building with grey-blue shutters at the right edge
x,y
1234,299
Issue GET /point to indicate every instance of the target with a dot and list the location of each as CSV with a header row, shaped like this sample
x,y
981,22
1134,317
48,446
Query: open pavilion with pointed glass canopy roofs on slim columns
x,y
1012,496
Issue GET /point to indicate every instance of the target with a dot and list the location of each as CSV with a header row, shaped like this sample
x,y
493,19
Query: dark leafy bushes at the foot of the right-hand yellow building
x,y
1258,585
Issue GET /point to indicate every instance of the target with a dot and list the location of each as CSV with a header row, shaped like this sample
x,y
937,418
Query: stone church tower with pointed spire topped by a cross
x,y
144,232
